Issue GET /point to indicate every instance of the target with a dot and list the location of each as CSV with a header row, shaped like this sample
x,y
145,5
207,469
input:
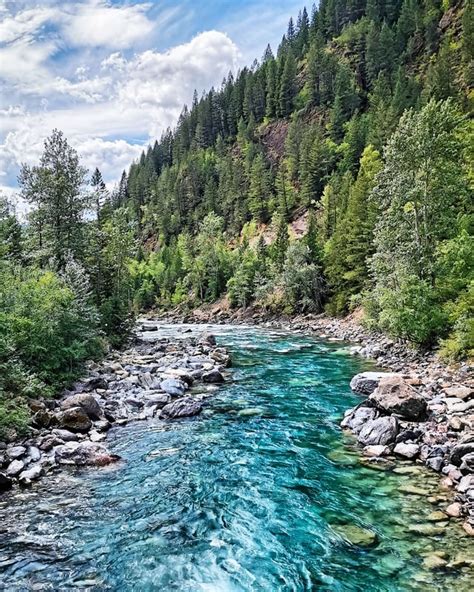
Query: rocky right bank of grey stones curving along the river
x,y
418,408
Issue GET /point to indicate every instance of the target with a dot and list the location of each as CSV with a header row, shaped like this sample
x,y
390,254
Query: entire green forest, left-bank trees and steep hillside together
x,y
333,174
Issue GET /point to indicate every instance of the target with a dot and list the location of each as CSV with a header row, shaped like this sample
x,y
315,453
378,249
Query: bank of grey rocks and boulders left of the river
x,y
151,378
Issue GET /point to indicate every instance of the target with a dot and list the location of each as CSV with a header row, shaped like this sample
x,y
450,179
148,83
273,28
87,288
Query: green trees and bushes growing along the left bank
x,y
65,290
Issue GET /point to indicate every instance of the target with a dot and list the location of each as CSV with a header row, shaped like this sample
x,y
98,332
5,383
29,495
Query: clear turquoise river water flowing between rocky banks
x,y
249,496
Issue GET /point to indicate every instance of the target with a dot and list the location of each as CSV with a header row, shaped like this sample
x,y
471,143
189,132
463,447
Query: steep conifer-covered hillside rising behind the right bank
x,y
359,123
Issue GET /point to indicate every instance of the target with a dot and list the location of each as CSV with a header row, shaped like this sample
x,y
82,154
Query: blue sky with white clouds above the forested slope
x,y
113,74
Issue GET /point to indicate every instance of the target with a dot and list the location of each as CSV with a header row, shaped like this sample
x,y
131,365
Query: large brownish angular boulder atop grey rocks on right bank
x,y
394,395
